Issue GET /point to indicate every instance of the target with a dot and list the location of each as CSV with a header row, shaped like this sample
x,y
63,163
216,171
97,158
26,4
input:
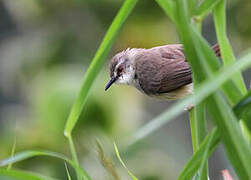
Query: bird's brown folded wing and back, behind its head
x,y
163,69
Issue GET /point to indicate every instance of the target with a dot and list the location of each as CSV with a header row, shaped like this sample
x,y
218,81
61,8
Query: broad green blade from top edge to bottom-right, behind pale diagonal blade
x,y
203,64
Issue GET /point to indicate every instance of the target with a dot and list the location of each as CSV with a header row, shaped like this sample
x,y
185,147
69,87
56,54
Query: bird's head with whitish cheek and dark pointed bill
x,y
122,68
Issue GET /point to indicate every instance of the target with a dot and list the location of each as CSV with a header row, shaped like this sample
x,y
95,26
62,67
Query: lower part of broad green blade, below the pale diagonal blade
x,y
237,149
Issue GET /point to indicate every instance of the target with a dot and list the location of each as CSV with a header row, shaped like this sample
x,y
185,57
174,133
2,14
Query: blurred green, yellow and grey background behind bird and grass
x,y
45,49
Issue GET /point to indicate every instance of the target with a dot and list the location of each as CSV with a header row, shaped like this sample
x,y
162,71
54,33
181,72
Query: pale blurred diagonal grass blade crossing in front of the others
x,y
204,90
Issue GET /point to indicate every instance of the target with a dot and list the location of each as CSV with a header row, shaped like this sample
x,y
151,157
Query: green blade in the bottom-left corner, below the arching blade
x,y
21,175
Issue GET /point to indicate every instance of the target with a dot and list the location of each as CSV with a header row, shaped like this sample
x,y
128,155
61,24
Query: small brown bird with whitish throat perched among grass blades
x,y
160,72
